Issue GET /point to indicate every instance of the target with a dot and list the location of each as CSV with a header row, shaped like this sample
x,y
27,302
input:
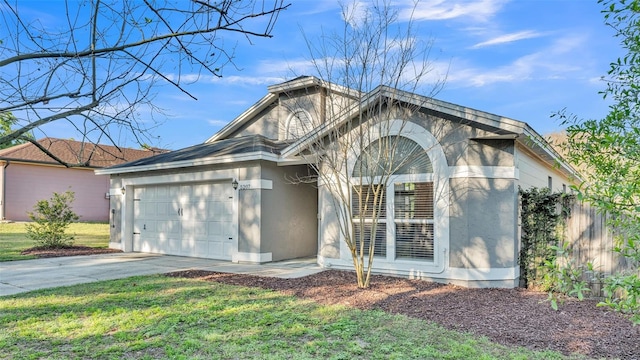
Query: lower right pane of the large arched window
x,y
414,241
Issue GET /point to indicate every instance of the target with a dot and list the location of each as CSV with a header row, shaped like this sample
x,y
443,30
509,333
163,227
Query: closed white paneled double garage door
x,y
188,220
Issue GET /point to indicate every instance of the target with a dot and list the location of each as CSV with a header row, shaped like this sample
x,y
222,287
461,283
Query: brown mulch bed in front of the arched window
x,y
507,316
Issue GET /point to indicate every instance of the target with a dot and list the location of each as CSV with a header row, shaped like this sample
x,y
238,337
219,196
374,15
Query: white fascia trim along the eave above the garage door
x,y
252,156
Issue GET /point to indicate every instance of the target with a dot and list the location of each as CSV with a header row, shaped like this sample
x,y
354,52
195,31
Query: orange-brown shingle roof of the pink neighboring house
x,y
75,153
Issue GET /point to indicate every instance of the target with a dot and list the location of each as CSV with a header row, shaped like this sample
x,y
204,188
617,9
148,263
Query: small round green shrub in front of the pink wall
x,y
51,219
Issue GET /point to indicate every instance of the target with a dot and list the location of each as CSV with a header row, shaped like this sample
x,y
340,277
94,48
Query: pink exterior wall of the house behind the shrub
x,y
26,184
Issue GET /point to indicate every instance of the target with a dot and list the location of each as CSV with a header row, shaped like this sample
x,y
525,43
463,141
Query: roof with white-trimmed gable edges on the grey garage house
x,y
227,146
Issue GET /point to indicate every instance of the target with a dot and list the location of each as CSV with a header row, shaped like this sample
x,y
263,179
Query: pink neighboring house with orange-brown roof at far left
x,y
27,175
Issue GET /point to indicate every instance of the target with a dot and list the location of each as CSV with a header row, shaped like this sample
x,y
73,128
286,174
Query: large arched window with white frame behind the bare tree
x,y
404,207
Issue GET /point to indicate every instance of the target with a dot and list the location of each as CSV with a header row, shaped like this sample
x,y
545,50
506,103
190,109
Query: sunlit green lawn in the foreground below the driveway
x,y
156,317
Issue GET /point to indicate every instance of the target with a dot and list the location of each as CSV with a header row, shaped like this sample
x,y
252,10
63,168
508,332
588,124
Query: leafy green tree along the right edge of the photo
x,y
608,151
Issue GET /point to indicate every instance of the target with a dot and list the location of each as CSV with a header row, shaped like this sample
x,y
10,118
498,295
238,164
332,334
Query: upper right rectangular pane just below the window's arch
x,y
413,201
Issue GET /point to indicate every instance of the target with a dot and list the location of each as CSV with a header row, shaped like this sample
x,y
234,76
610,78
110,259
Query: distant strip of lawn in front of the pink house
x,y
13,238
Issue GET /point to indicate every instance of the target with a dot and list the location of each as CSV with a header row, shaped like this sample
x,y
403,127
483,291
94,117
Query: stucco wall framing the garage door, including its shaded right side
x,y
273,223
